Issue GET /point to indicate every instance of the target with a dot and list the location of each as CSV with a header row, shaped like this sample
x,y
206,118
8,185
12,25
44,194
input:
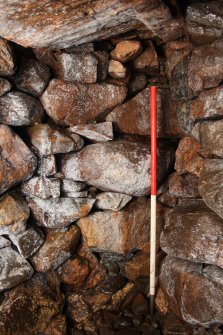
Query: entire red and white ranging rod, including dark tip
x,y
153,160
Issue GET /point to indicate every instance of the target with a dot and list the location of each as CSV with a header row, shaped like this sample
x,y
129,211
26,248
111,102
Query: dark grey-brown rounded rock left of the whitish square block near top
x,y
32,76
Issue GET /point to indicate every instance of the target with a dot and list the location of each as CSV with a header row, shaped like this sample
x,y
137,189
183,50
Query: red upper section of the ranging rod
x,y
153,132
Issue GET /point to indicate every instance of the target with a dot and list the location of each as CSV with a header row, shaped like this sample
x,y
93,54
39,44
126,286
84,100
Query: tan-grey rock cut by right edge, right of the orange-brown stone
x,y
210,136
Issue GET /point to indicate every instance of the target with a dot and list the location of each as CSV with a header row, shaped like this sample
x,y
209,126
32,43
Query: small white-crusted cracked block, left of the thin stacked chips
x,y
42,187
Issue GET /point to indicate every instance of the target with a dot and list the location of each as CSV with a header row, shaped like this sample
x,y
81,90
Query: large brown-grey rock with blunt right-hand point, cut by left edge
x,y
17,161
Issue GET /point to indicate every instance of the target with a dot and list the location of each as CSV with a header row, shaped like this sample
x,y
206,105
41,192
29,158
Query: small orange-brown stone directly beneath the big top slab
x,y
126,50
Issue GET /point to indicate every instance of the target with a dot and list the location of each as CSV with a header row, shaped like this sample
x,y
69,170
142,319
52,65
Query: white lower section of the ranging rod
x,y
152,287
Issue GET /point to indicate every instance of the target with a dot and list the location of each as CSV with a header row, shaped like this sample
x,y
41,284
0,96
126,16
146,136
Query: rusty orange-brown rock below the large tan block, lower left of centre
x,y
74,271
